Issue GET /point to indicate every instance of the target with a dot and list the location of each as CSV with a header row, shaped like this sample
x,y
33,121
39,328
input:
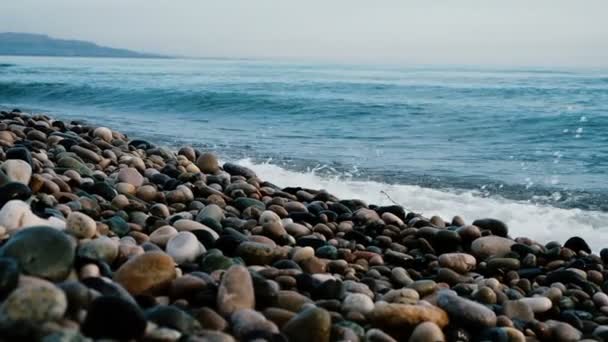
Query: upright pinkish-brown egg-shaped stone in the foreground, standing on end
x,y
235,291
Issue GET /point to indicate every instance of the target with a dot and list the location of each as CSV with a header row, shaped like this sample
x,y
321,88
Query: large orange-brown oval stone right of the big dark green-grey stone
x,y
148,273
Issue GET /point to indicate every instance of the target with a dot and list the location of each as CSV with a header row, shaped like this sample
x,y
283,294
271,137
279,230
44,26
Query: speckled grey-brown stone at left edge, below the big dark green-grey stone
x,y
35,304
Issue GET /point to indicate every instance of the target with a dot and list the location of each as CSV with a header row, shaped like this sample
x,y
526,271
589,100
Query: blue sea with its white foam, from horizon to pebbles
x,y
526,145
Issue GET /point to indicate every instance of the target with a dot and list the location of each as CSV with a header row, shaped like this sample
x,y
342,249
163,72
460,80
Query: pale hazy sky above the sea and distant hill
x,y
454,32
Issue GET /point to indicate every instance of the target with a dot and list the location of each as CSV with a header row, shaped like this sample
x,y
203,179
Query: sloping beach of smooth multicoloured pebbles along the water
x,y
104,237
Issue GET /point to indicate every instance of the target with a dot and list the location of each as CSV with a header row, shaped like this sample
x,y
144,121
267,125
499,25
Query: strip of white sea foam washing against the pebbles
x,y
540,222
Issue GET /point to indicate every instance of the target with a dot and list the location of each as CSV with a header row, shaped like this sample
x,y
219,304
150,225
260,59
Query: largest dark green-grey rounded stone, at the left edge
x,y
41,251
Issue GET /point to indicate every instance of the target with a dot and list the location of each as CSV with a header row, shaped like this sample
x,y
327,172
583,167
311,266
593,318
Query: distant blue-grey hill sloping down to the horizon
x,y
27,44
